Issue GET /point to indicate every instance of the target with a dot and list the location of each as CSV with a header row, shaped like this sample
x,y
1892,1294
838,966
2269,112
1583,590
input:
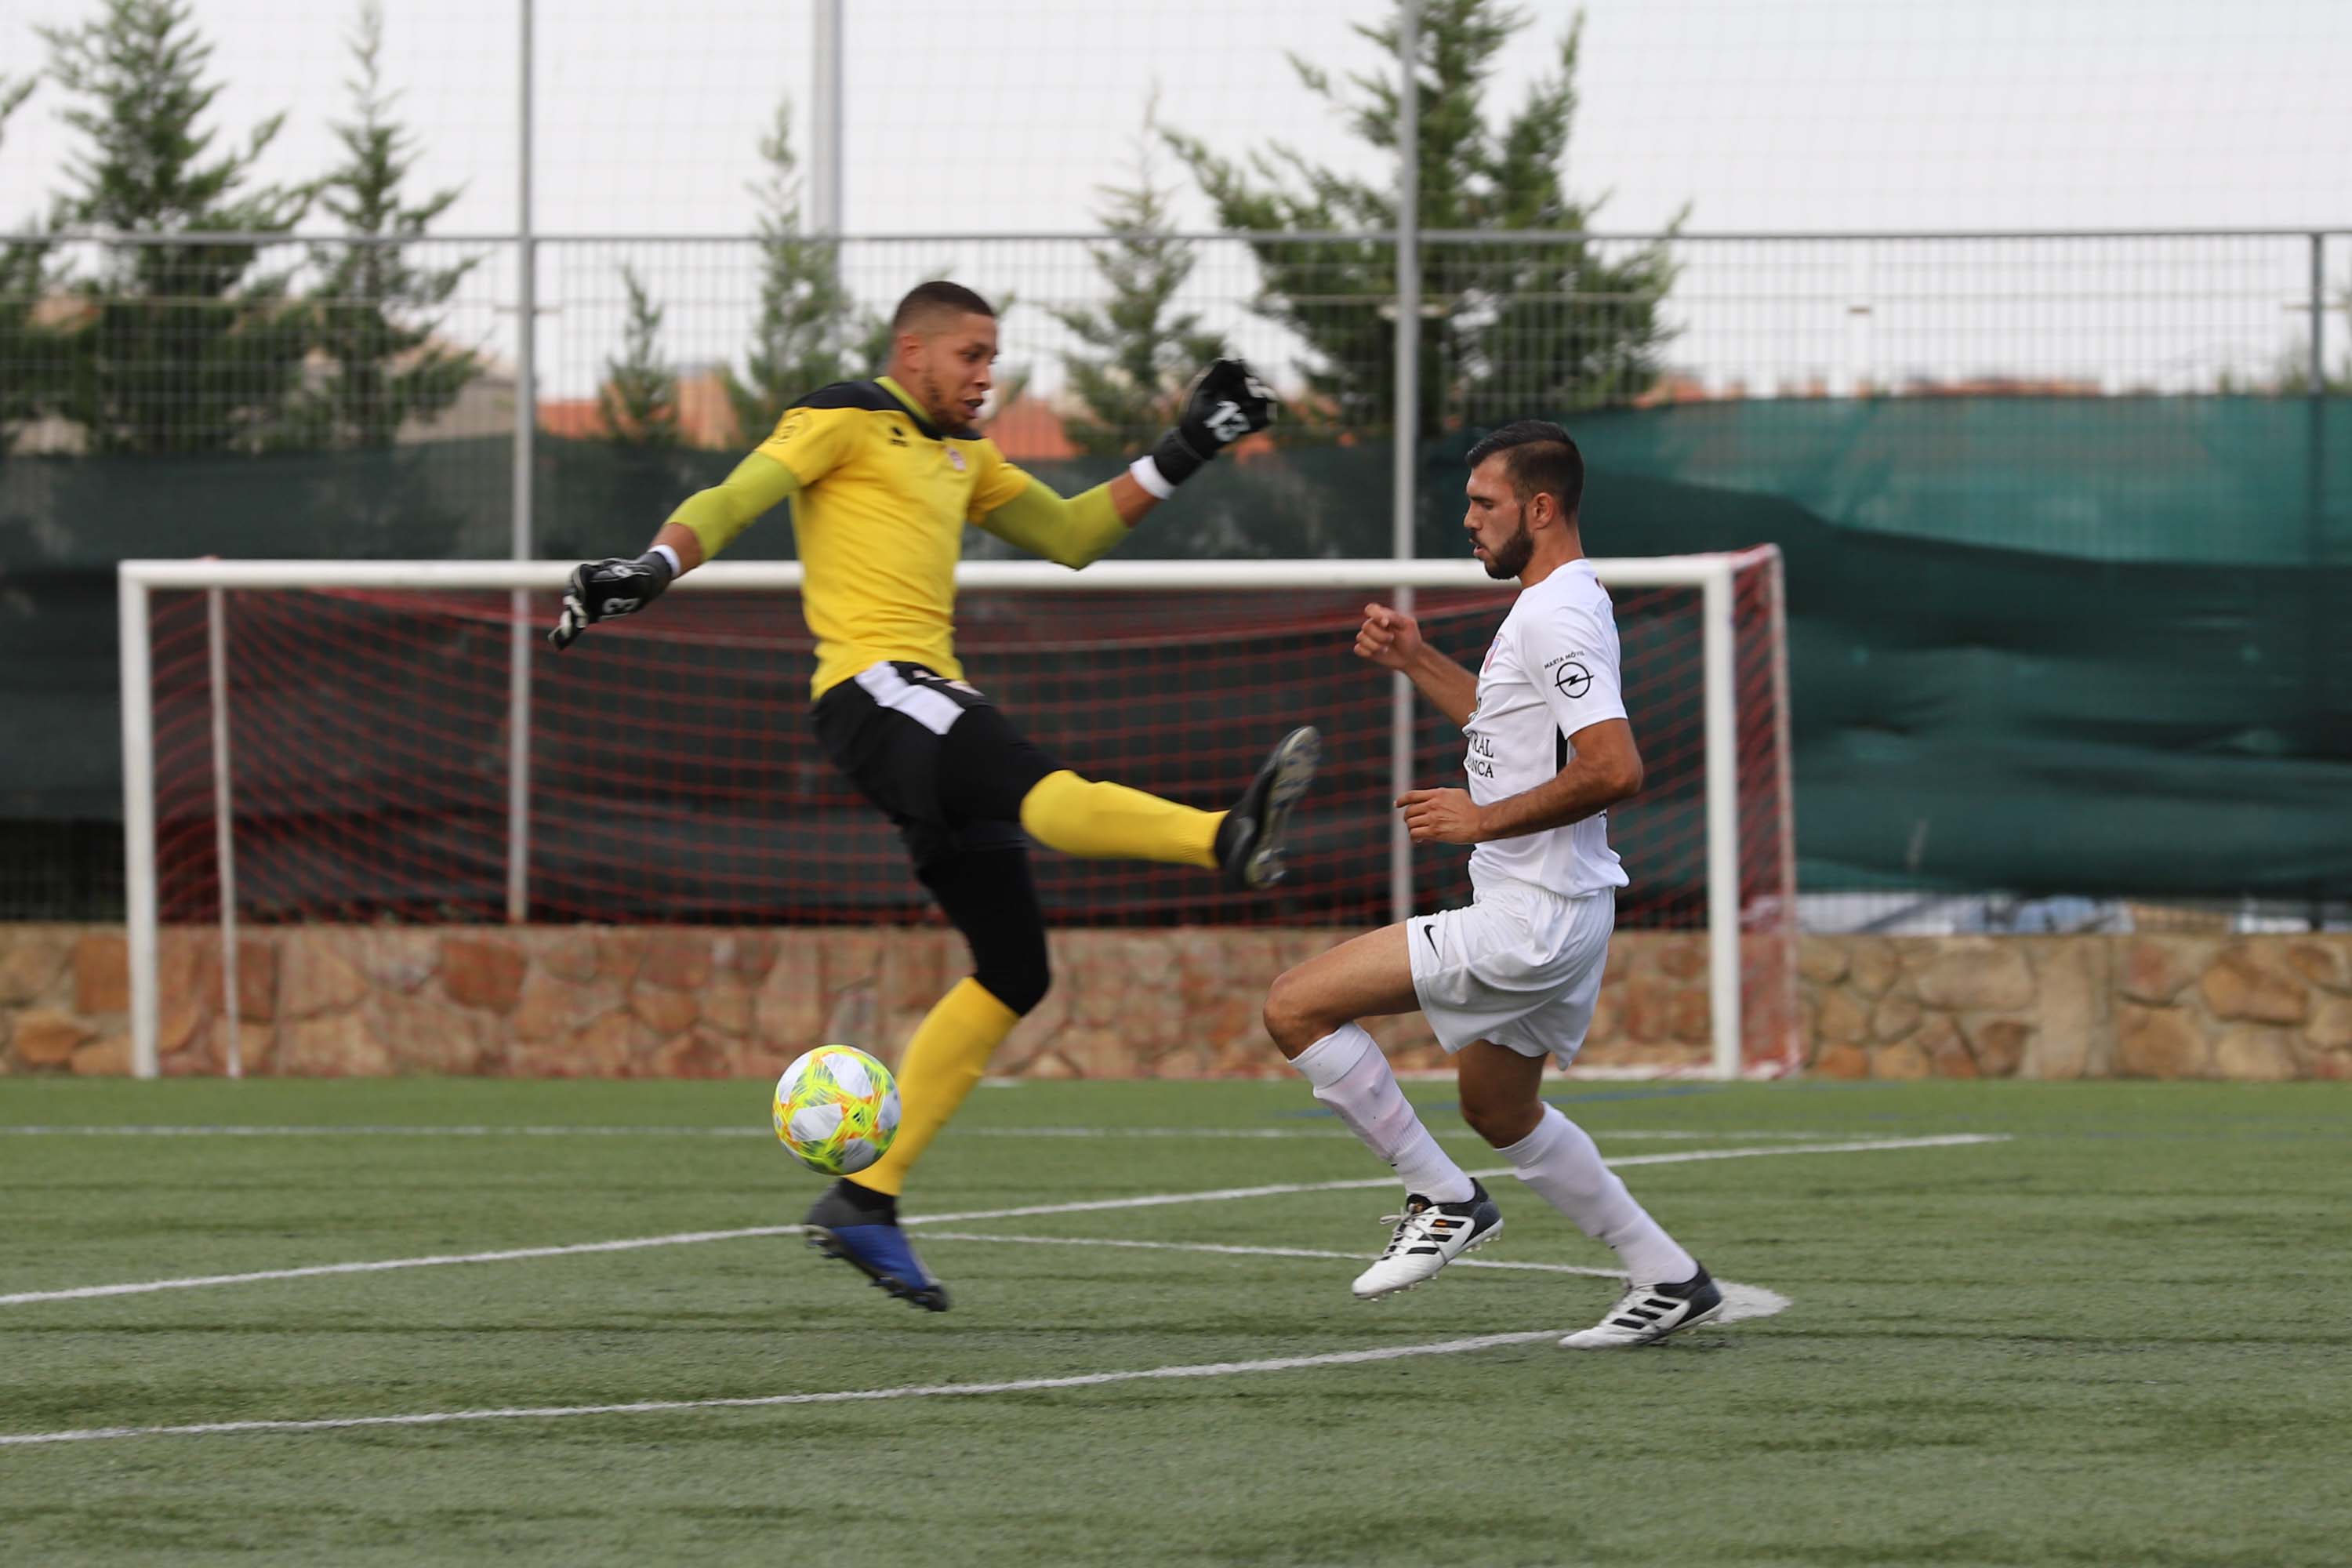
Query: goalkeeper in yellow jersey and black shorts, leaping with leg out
x,y
883,478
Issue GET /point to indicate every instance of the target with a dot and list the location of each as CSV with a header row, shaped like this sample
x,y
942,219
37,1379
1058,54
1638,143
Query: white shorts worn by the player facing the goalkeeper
x,y
1521,967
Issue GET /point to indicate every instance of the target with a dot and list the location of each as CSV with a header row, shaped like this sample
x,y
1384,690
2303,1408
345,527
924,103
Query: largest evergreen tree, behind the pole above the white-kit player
x,y
1511,330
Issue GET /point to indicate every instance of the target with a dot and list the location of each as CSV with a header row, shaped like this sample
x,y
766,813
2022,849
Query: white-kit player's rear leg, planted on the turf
x,y
1504,1104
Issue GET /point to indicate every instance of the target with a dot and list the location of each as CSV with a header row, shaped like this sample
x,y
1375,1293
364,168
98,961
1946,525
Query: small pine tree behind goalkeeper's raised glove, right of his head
x,y
1140,349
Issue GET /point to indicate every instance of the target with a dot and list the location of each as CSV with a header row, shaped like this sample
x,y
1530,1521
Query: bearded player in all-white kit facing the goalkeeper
x,y
1509,981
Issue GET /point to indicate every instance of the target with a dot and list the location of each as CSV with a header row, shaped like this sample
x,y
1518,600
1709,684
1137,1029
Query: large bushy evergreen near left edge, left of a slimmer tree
x,y
182,347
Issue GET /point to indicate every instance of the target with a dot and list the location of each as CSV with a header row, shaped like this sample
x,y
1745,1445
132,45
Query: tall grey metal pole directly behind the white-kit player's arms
x,y
1408,429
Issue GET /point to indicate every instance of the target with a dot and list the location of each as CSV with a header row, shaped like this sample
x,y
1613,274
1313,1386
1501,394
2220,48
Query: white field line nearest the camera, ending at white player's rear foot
x,y
930,1391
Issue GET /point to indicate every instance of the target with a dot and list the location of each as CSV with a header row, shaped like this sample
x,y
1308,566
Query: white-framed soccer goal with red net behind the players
x,y
392,744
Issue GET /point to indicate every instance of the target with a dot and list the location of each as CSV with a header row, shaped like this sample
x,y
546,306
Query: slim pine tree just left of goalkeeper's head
x,y
808,330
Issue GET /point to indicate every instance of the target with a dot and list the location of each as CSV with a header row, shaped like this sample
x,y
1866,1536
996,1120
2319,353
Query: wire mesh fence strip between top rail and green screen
x,y
163,347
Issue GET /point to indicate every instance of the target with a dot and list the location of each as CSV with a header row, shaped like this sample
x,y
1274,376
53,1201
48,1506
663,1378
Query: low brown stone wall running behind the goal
x,y
690,1003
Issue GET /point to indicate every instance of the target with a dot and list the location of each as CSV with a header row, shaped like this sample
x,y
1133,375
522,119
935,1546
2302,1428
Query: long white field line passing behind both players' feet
x,y
1154,1200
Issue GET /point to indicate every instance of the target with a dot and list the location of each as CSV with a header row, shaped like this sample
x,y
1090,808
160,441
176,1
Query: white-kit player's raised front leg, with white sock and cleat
x,y
1314,1017
